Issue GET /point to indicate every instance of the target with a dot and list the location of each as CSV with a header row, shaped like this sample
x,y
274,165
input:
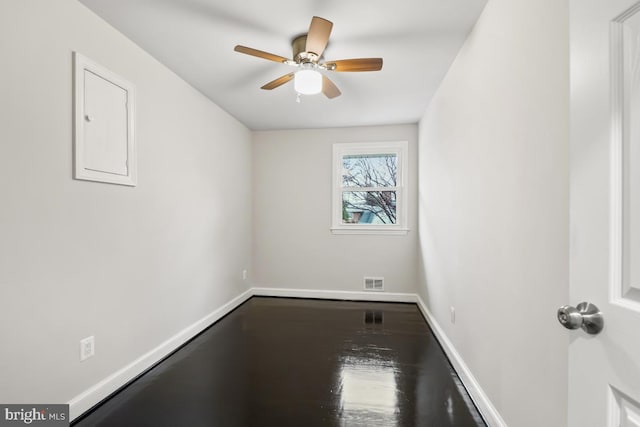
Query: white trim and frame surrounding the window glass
x,y
400,149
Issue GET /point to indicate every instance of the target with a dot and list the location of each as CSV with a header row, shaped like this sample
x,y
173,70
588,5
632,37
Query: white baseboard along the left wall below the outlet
x,y
93,395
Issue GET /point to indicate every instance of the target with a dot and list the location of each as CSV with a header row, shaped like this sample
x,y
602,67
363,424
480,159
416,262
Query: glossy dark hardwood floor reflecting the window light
x,y
296,362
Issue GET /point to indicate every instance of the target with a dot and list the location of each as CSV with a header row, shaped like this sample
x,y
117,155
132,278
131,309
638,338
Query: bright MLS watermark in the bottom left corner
x,y
34,415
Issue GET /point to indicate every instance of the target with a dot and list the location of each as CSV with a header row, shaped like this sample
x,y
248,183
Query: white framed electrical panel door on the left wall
x,y
104,140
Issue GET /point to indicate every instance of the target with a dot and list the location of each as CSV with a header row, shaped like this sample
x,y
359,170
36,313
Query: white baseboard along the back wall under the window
x,y
339,295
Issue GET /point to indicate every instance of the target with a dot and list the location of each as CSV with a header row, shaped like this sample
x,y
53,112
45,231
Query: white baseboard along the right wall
x,y
479,397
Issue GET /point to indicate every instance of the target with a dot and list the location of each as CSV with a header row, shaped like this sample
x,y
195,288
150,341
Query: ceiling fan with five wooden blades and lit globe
x,y
307,53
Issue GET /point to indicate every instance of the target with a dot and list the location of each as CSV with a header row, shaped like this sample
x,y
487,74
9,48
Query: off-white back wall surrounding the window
x,y
293,245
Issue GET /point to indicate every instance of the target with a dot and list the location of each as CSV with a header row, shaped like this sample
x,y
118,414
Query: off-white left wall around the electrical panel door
x,y
132,266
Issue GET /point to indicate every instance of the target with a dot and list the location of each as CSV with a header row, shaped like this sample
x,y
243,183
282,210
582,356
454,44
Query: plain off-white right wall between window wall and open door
x,y
494,207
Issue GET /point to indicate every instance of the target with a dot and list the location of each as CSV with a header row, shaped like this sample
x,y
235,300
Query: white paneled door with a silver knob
x,y
604,369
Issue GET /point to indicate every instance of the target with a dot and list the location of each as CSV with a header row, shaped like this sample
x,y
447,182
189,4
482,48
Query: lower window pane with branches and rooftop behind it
x,y
369,207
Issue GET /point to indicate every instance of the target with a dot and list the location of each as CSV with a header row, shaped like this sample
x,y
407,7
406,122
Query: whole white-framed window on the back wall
x,y
369,194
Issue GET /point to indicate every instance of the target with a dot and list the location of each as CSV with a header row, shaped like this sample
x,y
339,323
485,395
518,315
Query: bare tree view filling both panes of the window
x,y
369,188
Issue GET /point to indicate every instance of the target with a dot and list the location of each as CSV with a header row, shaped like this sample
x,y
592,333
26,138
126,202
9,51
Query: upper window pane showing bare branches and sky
x,y
369,170
